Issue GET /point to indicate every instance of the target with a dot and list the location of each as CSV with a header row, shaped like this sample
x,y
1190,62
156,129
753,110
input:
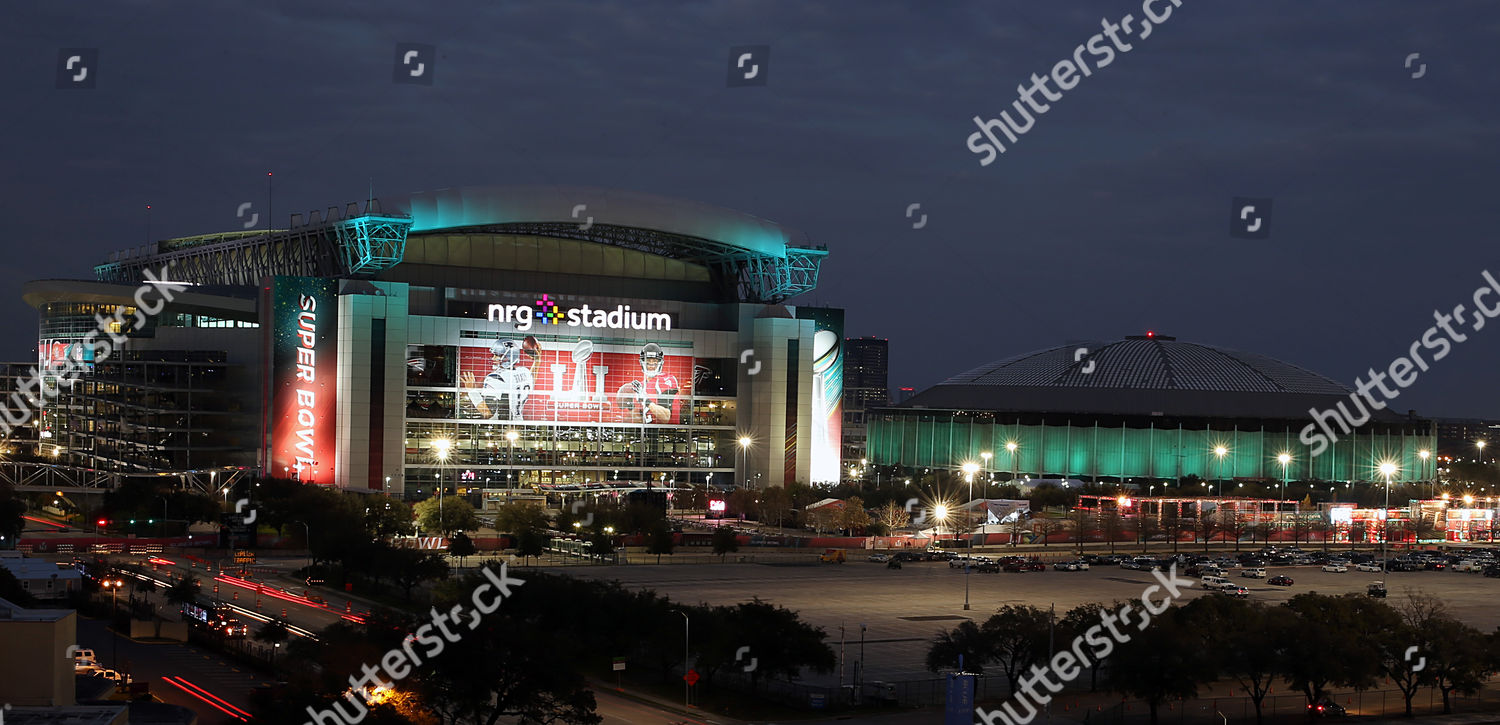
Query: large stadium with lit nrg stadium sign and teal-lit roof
x,y
490,340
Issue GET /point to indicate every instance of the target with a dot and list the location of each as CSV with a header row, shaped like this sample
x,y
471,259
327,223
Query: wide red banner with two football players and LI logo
x,y
520,379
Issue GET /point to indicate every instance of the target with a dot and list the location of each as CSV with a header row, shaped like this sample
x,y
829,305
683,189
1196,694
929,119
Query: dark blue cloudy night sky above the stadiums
x,y
1111,217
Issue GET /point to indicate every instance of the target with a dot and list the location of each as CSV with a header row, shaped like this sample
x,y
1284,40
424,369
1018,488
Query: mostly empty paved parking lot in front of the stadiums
x,y
904,609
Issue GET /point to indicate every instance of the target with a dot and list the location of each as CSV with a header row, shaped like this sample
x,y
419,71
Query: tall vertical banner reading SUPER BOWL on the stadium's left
x,y
304,375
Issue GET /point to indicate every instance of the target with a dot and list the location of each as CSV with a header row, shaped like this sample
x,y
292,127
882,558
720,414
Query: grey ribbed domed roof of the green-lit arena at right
x,y
1139,376
